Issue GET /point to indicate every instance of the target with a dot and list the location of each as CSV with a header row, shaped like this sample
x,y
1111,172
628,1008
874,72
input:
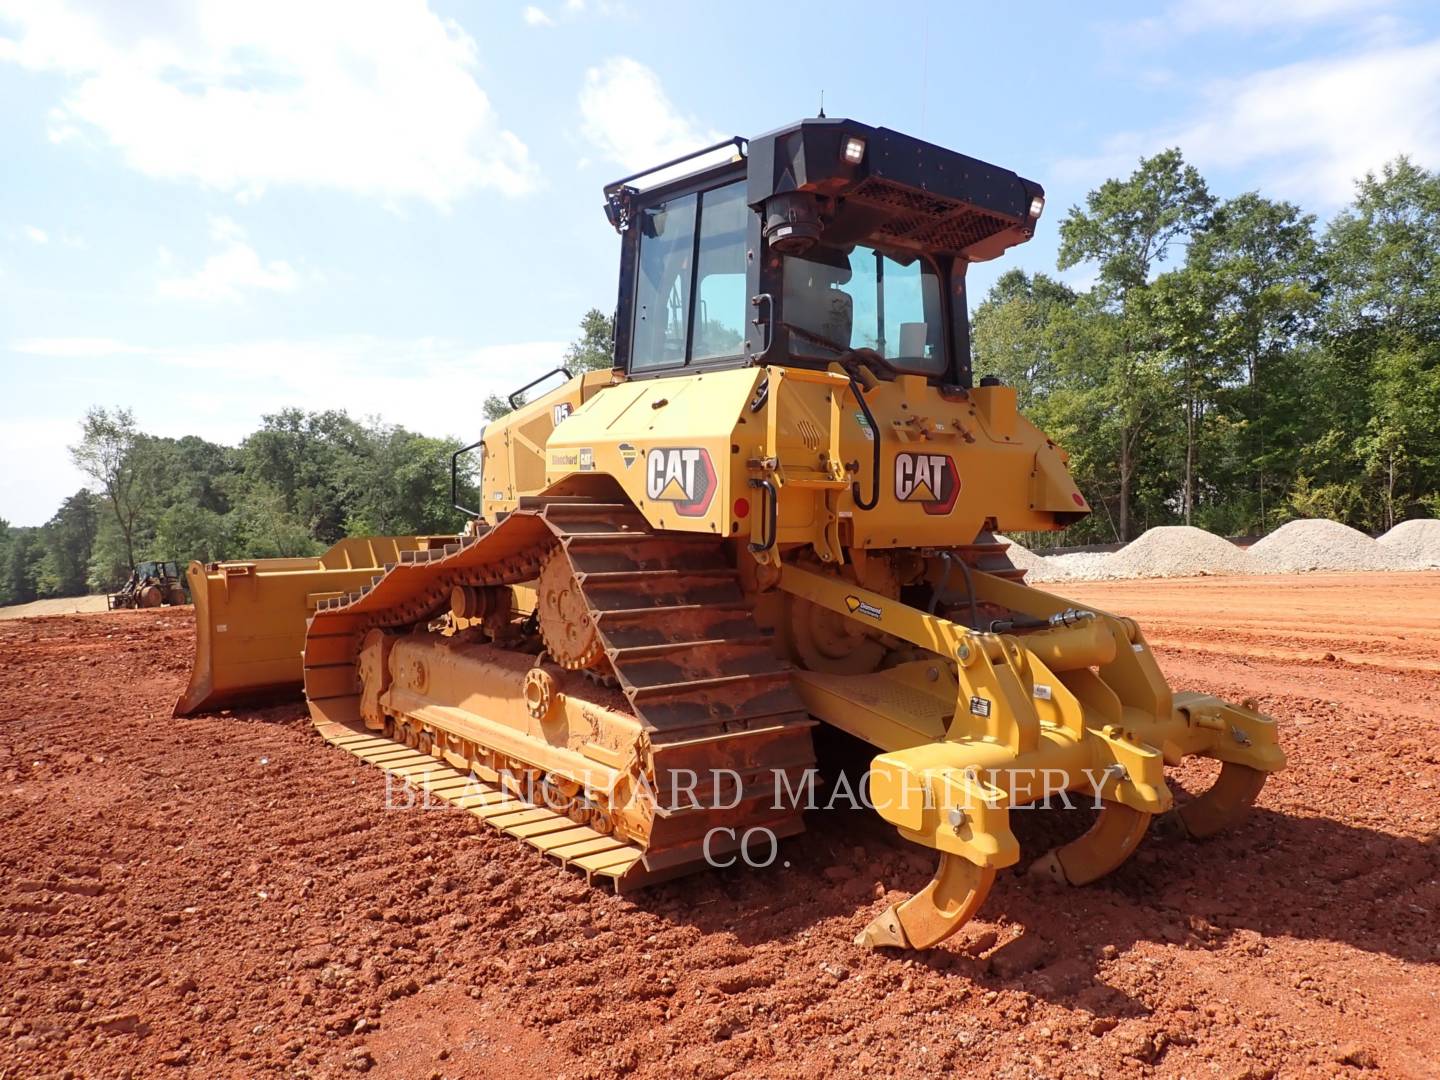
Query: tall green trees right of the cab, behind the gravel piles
x,y
1233,366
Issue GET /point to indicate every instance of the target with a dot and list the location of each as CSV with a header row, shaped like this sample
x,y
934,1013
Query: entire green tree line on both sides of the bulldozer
x,y
1232,365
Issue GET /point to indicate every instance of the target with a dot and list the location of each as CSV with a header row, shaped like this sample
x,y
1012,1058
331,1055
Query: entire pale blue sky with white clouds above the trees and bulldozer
x,y
214,211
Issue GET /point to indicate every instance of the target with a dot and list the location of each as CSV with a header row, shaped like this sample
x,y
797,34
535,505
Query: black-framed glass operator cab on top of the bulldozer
x,y
826,241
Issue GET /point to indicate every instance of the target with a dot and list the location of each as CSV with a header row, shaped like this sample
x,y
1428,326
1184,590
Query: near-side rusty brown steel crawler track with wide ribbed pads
x,y
696,669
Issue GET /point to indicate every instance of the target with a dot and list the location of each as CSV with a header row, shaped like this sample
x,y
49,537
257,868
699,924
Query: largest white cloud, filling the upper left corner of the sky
x,y
379,100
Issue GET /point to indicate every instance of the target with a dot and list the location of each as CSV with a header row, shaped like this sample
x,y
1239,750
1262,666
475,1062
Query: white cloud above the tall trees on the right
x,y
1308,130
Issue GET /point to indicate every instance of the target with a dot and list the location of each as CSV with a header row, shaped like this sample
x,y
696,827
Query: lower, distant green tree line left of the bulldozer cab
x,y
293,487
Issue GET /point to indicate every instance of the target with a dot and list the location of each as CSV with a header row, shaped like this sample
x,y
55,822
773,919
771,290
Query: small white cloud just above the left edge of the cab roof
x,y
630,120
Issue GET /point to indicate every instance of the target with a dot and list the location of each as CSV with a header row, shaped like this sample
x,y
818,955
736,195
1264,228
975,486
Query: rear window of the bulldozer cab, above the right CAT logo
x,y
836,302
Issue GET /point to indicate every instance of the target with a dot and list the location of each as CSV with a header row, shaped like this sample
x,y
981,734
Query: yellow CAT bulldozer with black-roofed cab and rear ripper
x,y
781,508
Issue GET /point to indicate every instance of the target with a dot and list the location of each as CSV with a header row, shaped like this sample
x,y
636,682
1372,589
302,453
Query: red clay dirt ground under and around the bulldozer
x,y
230,896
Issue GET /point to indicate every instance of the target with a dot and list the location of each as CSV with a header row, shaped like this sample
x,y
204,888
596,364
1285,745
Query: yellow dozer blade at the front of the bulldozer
x,y
250,617
